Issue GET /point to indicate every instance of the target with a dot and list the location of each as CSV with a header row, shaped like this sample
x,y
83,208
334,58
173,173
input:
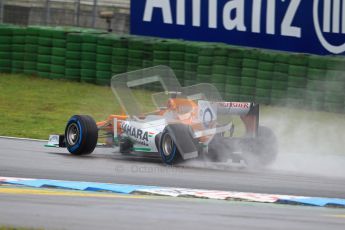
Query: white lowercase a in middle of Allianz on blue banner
x,y
237,22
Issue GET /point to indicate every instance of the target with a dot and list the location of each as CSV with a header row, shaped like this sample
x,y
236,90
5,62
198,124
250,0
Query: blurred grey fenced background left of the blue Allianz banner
x,y
80,13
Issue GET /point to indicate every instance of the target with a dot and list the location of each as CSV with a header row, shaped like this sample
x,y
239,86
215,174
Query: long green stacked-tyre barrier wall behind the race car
x,y
240,74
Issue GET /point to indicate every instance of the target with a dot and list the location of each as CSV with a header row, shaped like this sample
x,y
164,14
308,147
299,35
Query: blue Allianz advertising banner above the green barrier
x,y
307,26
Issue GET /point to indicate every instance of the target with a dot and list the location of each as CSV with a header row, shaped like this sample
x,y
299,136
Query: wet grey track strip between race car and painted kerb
x,y
29,159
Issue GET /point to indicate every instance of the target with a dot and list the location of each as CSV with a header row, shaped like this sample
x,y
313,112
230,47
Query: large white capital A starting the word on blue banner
x,y
164,5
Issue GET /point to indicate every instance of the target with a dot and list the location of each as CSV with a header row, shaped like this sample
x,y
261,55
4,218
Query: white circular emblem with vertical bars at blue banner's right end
x,y
328,14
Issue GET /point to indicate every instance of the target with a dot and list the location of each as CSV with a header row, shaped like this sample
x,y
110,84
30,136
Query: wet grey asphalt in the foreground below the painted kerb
x,y
56,212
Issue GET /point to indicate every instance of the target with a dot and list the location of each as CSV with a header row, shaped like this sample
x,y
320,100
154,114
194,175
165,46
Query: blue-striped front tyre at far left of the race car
x,y
81,135
